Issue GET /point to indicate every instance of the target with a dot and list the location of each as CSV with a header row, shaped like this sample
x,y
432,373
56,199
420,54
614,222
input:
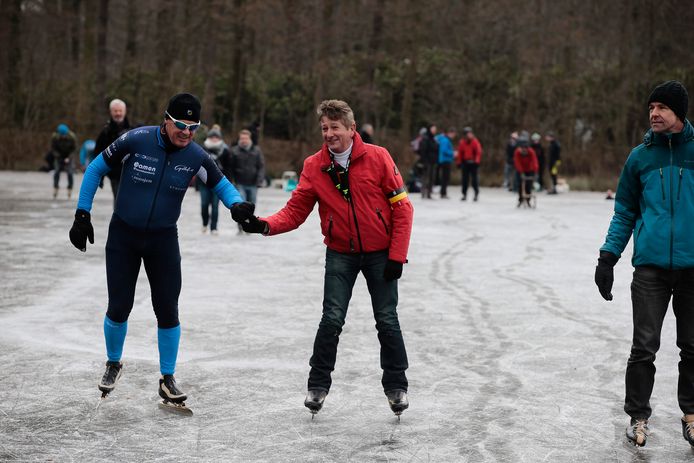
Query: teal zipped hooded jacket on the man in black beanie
x,y
655,202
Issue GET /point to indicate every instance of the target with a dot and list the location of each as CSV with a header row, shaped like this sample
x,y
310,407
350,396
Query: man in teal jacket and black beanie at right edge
x,y
655,203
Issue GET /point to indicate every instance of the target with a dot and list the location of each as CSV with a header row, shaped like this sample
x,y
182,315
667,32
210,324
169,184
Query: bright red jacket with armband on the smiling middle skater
x,y
383,211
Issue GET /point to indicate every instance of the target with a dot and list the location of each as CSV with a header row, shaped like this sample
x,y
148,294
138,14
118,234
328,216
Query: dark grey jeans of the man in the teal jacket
x,y
651,291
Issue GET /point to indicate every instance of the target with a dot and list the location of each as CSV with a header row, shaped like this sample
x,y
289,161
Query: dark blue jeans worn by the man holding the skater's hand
x,y
341,271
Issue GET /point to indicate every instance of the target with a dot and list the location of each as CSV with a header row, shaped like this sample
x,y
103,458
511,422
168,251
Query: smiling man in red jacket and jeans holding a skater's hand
x,y
366,218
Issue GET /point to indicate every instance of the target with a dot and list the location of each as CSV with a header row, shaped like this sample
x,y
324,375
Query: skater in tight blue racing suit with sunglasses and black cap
x,y
157,165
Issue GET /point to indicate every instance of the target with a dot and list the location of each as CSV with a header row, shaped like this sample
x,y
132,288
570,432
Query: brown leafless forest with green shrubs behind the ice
x,y
580,68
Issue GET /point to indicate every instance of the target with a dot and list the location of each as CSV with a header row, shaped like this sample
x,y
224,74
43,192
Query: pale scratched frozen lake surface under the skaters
x,y
514,357
